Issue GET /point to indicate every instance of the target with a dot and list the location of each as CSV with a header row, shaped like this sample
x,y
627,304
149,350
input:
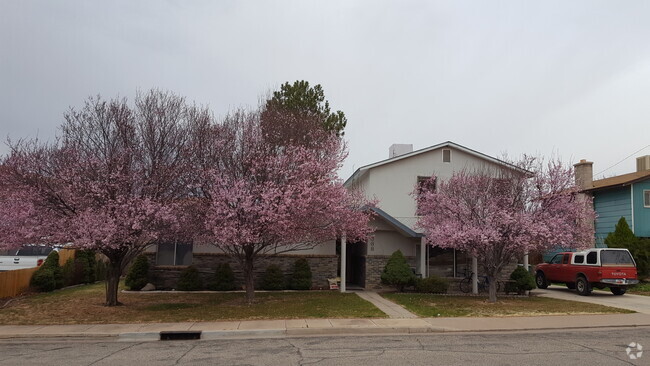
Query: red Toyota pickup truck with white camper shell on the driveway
x,y
603,267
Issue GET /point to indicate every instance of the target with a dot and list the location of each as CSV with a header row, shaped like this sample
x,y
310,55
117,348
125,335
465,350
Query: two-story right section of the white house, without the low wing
x,y
392,182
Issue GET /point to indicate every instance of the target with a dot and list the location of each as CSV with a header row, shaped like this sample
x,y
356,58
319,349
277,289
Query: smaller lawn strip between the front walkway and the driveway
x,y
427,305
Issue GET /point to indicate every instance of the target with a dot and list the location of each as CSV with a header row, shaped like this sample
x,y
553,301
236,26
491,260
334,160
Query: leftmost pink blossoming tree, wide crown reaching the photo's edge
x,y
111,182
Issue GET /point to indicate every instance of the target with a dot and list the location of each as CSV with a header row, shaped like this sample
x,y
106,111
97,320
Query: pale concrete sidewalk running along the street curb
x,y
314,327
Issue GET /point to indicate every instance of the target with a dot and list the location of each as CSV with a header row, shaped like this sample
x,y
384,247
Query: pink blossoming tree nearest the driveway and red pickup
x,y
498,215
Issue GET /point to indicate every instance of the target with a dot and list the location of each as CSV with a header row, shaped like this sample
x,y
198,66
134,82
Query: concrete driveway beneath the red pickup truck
x,y
637,303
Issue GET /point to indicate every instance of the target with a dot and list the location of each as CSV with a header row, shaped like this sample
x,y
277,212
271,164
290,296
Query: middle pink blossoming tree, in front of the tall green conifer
x,y
269,198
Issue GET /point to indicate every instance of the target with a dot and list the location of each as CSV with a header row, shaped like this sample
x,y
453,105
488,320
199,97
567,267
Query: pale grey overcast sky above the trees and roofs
x,y
570,78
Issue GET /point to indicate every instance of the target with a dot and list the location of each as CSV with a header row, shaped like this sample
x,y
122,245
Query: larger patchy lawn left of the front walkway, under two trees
x,y
83,304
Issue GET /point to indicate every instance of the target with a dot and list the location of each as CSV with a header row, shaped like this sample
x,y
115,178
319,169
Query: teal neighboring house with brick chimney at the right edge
x,y
626,195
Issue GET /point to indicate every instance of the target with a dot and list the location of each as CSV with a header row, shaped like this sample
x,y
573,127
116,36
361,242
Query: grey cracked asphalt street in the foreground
x,y
584,347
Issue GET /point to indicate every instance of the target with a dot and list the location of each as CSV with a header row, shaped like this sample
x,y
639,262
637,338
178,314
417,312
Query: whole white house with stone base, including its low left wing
x,y
391,182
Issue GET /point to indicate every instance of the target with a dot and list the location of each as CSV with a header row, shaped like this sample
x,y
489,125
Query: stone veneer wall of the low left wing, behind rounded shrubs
x,y
322,268
